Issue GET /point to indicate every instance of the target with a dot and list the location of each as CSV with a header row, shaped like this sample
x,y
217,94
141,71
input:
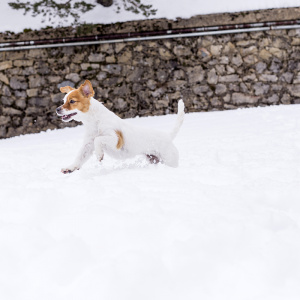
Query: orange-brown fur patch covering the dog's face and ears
x,y
79,98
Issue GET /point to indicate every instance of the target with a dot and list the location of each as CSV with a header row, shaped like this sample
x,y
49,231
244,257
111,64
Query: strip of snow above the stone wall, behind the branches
x,y
13,20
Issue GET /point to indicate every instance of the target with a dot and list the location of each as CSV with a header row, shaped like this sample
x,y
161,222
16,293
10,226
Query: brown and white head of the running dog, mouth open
x,y
76,102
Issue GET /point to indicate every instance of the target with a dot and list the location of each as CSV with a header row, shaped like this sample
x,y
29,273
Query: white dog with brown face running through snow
x,y
105,132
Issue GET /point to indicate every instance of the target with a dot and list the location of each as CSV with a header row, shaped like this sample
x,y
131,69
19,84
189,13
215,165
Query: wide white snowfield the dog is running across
x,y
224,225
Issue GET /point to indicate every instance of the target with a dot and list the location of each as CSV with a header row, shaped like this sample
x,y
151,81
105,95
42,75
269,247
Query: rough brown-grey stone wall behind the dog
x,y
148,78
